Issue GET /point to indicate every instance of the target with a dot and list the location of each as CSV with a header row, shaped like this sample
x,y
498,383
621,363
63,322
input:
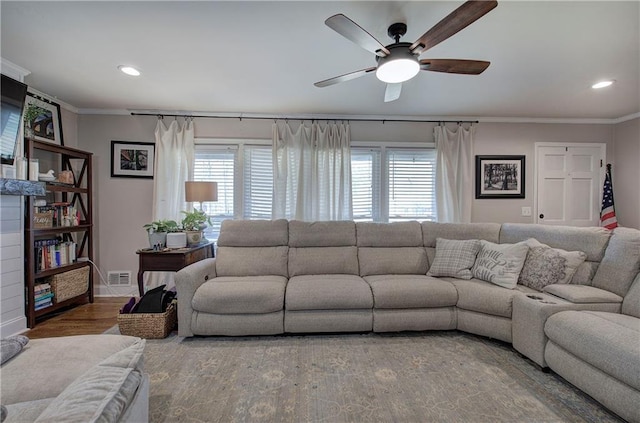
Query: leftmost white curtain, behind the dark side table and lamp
x,y
173,165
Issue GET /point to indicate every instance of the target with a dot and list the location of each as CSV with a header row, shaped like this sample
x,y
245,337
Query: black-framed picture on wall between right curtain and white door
x,y
500,176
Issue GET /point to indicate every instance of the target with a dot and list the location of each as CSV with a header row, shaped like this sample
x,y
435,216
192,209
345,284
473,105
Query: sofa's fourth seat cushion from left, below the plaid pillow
x,y
485,297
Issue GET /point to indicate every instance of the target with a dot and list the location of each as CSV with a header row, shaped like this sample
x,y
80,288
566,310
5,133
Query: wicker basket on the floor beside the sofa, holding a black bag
x,y
148,325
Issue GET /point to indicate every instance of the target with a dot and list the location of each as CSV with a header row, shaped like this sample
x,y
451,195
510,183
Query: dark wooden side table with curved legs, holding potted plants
x,y
170,260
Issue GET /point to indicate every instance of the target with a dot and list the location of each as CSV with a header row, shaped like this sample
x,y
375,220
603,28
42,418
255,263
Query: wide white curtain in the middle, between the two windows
x,y
312,172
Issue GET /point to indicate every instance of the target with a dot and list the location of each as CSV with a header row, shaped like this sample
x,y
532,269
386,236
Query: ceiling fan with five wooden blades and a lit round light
x,y
398,62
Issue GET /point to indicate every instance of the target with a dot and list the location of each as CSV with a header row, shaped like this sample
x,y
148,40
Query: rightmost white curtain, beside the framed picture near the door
x,y
454,173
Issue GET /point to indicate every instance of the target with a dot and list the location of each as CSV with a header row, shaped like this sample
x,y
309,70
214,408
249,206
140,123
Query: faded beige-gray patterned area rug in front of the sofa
x,y
410,377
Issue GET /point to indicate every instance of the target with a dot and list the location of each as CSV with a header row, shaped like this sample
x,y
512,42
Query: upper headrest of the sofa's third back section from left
x,y
396,234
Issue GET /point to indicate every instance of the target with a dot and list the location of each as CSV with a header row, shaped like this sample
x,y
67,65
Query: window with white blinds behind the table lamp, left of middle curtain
x,y
245,182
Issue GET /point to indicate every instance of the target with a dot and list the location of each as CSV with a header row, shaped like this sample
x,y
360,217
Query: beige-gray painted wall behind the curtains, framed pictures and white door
x,y
123,205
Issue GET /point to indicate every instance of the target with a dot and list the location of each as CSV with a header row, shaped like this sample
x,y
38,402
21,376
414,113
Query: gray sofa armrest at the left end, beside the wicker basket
x,y
188,280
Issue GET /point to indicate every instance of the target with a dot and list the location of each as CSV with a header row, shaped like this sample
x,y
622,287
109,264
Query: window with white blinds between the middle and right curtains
x,y
393,184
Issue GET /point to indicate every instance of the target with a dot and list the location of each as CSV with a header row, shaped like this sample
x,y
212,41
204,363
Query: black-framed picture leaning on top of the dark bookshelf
x,y
42,119
